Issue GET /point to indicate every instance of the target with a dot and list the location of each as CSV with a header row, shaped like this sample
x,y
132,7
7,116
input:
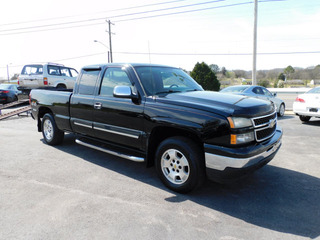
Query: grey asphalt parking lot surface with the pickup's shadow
x,y
72,192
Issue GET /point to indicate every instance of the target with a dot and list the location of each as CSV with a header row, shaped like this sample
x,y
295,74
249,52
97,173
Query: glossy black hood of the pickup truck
x,y
220,103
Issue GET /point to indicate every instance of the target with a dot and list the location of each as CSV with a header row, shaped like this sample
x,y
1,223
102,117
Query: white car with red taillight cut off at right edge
x,y
307,105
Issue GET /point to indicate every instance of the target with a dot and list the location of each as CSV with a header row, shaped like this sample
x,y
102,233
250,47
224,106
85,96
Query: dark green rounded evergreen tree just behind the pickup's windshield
x,y
205,77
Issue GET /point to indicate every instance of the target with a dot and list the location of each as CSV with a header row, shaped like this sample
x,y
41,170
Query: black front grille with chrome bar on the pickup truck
x,y
265,126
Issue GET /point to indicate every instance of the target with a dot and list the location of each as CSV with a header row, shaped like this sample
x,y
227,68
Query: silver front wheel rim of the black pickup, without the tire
x,y
175,166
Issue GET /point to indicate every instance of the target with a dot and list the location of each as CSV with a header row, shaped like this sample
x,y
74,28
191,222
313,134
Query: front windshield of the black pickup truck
x,y
164,80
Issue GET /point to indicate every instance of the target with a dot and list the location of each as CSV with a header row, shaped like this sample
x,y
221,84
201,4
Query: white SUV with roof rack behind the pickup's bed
x,y
47,75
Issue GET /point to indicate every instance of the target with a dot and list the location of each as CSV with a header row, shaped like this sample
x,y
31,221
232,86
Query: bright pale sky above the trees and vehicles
x,y
178,33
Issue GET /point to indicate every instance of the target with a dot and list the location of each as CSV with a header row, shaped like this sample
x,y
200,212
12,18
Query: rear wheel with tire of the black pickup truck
x,y
51,134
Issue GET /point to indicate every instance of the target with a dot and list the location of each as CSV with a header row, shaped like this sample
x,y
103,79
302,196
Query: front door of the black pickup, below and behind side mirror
x,y
117,120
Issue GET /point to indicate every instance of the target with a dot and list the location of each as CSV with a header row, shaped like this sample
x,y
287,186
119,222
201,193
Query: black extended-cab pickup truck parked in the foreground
x,y
161,116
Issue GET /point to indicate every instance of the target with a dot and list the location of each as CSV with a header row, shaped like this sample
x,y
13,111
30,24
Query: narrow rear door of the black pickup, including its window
x,y
81,104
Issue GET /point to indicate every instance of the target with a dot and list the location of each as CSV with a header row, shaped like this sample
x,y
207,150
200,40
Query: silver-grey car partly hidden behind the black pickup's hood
x,y
257,92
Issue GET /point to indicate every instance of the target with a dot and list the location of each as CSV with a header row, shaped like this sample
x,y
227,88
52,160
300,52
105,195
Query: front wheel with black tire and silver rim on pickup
x,y
180,164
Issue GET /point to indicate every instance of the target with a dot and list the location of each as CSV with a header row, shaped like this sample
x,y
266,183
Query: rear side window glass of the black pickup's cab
x,y
88,81
